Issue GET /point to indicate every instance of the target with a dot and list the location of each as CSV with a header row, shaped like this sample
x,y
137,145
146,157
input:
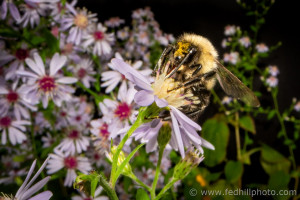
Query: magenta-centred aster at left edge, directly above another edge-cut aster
x,y
13,98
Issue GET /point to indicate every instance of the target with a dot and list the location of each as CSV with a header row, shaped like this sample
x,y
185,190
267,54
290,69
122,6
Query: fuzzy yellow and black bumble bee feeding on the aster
x,y
193,64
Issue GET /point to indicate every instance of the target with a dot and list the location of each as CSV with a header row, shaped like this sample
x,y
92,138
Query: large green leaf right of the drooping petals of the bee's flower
x,y
216,132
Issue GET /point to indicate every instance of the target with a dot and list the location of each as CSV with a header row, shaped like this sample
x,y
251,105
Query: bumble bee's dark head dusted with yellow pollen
x,y
183,49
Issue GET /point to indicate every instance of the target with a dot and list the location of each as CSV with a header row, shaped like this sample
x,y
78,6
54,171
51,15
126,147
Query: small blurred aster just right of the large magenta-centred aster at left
x,y
84,72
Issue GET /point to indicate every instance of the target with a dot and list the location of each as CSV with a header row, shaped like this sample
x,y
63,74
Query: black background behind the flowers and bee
x,y
208,18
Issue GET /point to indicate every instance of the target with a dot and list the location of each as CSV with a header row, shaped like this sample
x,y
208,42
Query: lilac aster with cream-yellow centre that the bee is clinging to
x,y
184,129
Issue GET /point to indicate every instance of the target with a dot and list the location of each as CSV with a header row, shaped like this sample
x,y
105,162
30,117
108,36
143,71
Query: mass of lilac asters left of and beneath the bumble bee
x,y
63,96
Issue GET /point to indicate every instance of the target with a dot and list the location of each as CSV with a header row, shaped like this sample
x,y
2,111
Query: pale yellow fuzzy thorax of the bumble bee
x,y
208,52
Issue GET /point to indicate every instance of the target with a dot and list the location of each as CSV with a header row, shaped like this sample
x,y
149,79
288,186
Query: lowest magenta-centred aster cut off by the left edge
x,y
14,129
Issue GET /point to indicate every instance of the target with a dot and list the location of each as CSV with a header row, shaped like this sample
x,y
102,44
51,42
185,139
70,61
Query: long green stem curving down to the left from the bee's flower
x,y
136,124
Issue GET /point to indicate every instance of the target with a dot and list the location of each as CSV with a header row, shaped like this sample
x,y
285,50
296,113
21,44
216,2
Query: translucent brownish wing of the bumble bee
x,y
234,87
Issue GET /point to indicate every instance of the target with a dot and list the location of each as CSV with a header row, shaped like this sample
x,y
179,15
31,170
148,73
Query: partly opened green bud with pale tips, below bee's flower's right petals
x,y
191,160
